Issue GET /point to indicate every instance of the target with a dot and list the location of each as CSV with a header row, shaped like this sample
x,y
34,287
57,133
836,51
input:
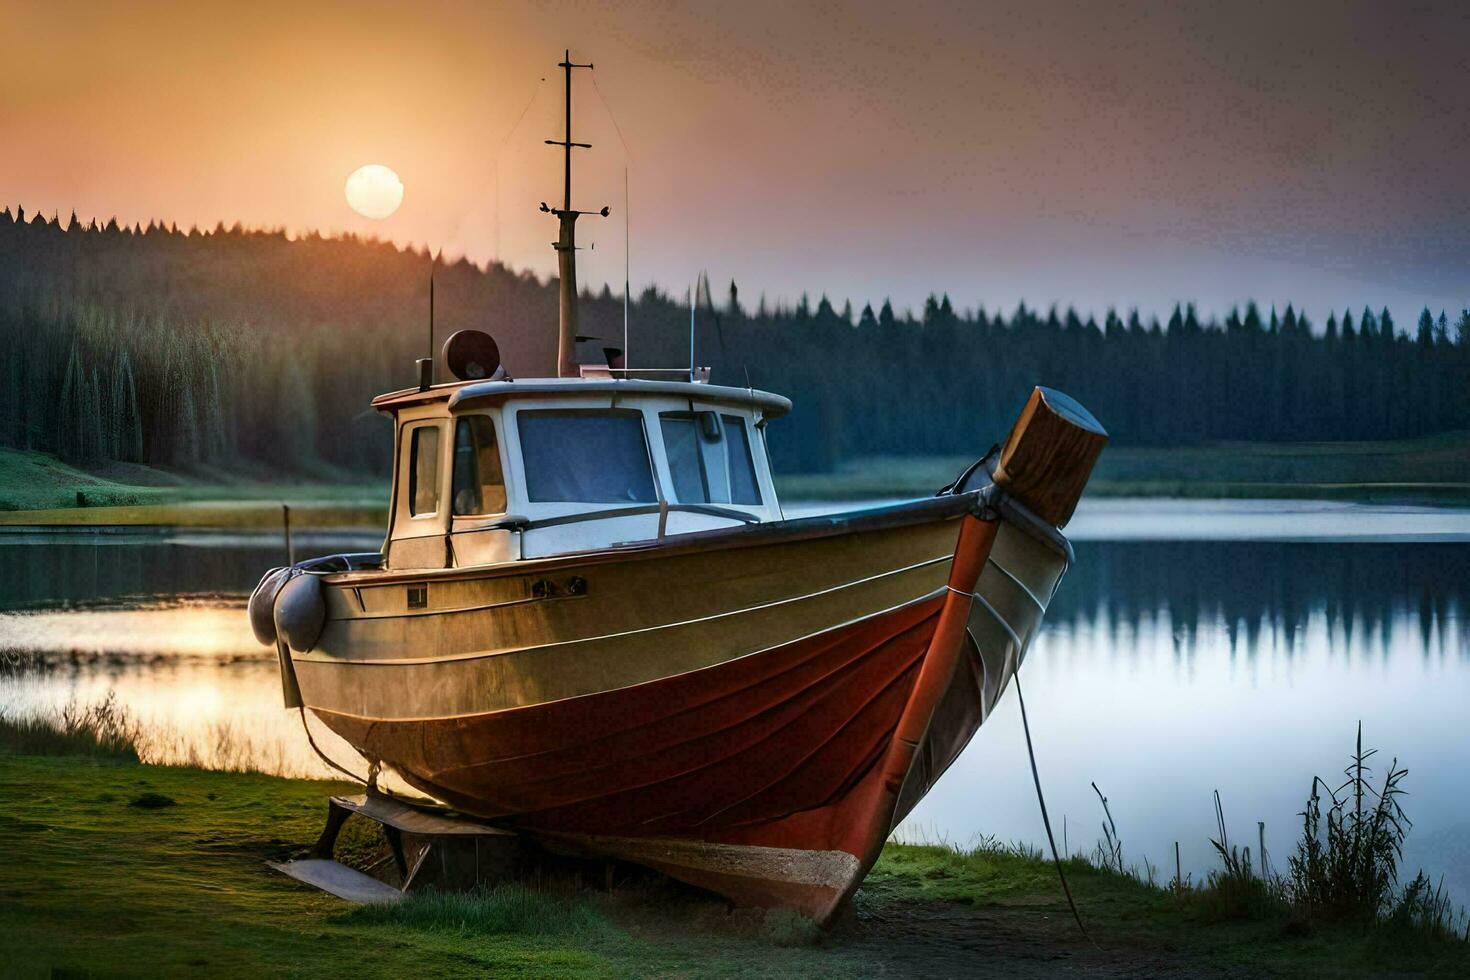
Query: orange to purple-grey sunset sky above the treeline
x,y
1091,155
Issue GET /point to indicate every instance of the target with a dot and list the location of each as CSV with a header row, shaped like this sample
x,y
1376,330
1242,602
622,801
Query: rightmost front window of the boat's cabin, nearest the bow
x,y
709,459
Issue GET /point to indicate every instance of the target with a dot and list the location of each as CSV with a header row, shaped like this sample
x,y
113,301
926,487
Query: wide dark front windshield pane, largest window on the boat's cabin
x,y
586,456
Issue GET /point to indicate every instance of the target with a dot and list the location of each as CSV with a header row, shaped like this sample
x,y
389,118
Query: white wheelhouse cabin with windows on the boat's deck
x,y
499,471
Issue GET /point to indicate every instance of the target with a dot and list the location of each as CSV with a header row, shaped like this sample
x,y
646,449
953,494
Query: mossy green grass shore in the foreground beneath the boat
x,y
117,869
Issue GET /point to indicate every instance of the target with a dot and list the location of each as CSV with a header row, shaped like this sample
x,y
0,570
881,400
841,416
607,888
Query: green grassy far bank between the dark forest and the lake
x,y
42,490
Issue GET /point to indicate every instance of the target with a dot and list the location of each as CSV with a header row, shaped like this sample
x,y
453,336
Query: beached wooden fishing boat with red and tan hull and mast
x,y
592,622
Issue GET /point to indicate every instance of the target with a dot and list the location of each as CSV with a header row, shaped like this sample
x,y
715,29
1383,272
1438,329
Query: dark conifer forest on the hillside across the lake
x,y
249,350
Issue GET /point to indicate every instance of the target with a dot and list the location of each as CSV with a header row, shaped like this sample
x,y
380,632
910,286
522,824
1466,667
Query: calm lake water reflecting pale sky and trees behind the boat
x,y
1194,647
